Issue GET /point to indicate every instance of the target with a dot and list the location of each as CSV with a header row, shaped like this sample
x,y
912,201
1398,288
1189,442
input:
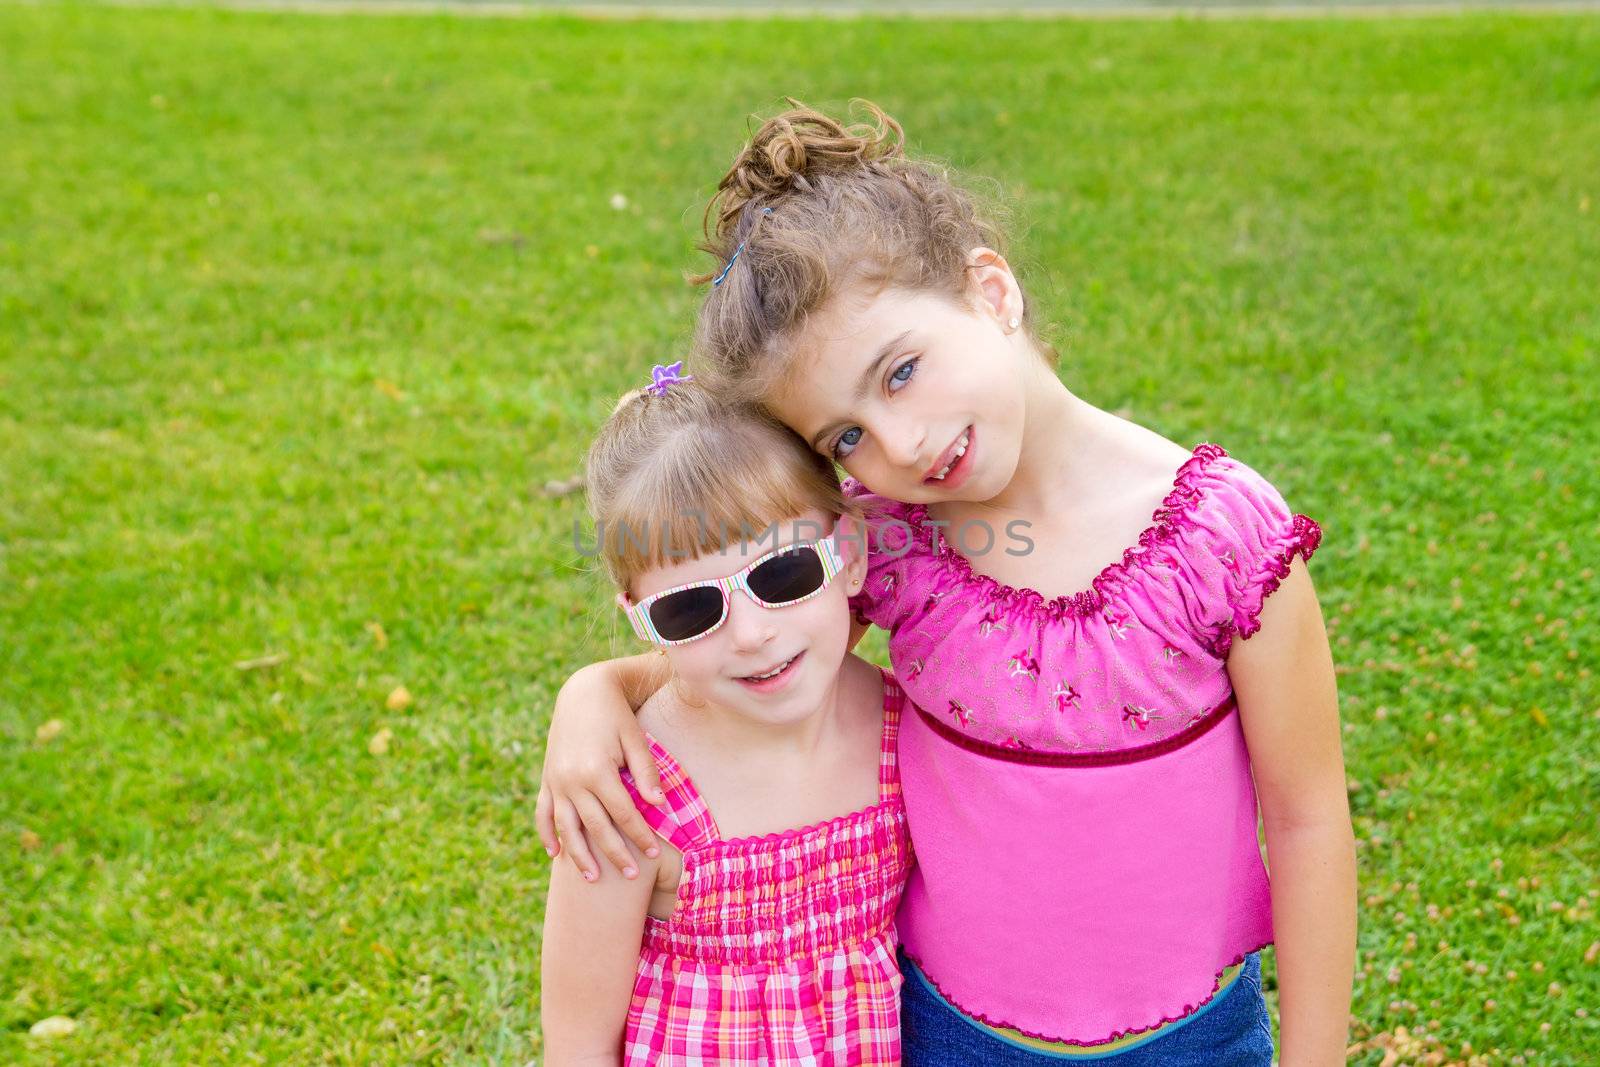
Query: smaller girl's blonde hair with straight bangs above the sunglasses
x,y
690,473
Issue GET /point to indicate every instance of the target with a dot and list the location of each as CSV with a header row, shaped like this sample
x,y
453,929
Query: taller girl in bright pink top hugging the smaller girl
x,y
1092,732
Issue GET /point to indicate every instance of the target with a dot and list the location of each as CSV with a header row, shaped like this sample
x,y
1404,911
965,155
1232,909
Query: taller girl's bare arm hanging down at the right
x,y
1290,713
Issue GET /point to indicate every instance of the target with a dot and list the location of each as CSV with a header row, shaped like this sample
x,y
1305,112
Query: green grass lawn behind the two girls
x,y
300,314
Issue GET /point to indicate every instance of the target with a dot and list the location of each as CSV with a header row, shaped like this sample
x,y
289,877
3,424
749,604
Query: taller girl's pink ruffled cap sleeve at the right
x,y
1239,543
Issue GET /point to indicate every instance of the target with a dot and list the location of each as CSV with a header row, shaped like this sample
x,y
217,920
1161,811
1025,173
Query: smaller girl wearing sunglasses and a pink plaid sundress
x,y
761,930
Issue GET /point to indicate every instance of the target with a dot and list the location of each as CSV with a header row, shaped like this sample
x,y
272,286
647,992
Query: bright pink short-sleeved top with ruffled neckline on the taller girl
x,y
1074,772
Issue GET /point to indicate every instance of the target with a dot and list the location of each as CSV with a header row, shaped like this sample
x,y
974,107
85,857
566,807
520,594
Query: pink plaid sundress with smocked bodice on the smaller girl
x,y
782,948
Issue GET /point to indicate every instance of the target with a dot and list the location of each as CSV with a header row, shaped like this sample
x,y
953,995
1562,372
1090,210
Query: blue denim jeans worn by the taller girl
x,y
1233,1031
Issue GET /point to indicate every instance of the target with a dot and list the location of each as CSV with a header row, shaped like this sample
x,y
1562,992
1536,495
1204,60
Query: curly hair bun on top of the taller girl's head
x,y
796,150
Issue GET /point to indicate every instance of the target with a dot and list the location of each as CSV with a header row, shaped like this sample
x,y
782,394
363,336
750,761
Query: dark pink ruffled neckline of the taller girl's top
x,y
1169,519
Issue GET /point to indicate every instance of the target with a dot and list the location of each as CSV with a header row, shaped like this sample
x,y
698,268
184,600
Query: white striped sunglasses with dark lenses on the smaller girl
x,y
780,578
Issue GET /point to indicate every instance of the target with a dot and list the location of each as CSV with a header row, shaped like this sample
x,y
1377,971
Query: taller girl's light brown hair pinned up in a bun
x,y
809,207
